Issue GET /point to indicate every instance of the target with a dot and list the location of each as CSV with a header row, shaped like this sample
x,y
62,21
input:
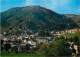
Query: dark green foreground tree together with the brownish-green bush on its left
x,y
58,48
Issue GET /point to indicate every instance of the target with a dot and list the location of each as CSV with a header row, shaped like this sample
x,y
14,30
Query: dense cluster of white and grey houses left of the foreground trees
x,y
21,42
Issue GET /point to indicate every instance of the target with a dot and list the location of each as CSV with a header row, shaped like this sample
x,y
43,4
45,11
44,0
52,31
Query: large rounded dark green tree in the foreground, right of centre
x,y
59,48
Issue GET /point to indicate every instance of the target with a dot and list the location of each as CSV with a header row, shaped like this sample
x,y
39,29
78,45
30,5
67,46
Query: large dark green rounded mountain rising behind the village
x,y
34,18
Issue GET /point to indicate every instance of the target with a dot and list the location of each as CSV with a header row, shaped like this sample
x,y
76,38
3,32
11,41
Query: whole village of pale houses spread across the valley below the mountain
x,y
25,42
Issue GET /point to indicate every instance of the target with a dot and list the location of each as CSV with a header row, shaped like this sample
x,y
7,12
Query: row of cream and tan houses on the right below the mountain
x,y
64,32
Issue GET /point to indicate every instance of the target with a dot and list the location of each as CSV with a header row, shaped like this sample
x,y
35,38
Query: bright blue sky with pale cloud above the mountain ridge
x,y
59,6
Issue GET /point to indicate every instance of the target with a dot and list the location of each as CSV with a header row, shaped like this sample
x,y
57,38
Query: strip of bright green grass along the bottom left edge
x,y
19,55
